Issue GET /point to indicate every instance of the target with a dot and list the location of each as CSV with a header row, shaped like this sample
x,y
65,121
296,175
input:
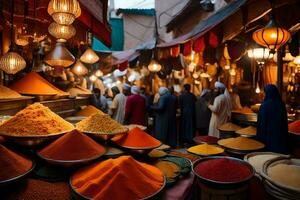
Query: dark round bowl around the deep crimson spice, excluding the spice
x,y
220,184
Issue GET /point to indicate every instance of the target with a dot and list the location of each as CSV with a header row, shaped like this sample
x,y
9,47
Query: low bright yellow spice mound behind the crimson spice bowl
x,y
205,150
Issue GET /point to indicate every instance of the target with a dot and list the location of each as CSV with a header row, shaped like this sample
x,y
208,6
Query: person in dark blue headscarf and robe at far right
x,y
272,124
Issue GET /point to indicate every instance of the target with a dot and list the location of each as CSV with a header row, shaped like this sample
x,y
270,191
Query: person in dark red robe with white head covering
x,y
135,109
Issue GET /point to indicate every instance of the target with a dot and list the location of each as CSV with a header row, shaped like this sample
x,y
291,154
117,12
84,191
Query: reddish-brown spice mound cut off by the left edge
x,y
12,165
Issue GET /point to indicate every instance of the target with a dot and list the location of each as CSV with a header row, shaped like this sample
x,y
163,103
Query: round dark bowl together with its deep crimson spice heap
x,y
222,172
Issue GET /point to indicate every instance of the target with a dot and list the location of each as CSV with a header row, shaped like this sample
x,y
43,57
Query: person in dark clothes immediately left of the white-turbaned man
x,y
203,113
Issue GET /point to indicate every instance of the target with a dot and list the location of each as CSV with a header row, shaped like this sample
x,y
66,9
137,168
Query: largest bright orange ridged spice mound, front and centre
x,y
120,178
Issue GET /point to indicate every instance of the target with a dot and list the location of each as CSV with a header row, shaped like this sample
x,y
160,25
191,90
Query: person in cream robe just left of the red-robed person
x,y
118,105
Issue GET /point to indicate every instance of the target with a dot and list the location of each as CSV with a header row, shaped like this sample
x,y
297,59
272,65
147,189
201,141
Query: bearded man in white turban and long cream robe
x,y
221,109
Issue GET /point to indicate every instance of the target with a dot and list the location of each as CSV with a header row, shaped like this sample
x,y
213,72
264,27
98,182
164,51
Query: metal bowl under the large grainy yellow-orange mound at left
x,y
32,140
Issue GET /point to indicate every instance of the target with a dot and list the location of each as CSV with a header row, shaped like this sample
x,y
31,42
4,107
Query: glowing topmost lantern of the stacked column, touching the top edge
x,y
64,12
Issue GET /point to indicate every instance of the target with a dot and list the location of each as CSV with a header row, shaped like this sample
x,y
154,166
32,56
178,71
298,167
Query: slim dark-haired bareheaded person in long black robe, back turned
x,y
187,108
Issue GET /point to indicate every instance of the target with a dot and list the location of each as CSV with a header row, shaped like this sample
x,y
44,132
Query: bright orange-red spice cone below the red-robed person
x,y
136,138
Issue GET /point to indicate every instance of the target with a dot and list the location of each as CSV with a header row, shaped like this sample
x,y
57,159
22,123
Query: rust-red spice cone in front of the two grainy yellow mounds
x,y
72,146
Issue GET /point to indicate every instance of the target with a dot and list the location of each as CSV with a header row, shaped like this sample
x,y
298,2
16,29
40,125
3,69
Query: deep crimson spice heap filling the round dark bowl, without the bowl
x,y
223,170
